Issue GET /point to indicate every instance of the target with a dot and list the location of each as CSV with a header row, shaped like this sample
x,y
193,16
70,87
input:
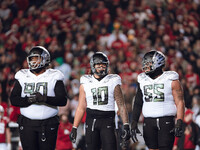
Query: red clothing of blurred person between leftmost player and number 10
x,y
63,141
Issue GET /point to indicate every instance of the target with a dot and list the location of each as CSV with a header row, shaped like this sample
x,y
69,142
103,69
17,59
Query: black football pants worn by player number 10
x,y
100,133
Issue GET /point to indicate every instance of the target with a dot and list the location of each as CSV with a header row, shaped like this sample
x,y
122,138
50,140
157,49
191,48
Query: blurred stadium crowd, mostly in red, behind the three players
x,y
72,30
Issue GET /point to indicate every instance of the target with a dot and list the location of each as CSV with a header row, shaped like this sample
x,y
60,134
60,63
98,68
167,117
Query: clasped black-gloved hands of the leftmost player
x,y
36,98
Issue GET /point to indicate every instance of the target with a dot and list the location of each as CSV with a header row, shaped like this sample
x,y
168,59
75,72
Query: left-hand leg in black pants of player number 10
x,y
92,136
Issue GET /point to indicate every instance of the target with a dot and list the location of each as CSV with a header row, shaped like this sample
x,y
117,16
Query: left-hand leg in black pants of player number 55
x,y
150,133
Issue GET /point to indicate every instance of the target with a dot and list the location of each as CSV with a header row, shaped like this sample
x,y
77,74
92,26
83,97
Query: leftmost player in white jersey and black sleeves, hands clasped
x,y
38,91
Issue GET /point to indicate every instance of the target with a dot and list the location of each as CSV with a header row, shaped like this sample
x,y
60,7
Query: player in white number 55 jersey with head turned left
x,y
160,98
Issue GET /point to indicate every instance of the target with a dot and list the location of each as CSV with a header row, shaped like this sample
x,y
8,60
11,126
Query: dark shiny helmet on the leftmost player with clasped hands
x,y
43,57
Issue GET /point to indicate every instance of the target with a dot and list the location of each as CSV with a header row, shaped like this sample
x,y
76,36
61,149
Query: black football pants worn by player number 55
x,y
157,132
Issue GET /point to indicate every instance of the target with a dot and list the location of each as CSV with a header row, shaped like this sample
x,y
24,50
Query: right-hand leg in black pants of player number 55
x,y
166,139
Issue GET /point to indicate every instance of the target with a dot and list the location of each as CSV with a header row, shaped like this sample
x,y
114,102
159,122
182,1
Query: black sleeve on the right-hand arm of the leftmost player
x,y
60,98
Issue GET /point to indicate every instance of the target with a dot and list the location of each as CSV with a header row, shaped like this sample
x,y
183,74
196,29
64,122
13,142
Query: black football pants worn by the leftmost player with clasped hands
x,y
38,137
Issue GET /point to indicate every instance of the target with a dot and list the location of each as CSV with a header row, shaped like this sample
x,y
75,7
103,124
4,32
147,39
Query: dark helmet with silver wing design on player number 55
x,y
152,61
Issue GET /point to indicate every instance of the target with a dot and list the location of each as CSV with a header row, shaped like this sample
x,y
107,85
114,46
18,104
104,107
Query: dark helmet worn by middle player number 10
x,y
99,58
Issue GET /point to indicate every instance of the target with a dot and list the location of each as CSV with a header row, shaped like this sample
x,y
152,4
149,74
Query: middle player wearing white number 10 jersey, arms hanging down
x,y
97,95
